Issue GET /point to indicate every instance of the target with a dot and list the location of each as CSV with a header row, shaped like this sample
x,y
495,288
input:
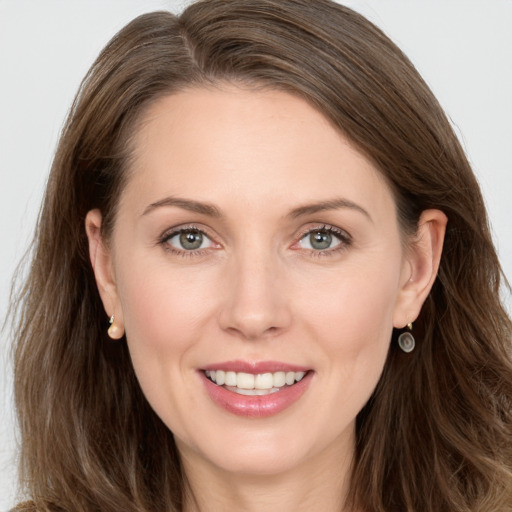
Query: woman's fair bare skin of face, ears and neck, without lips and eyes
x,y
257,290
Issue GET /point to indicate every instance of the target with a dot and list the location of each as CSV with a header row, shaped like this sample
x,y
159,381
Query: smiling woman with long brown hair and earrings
x,y
253,199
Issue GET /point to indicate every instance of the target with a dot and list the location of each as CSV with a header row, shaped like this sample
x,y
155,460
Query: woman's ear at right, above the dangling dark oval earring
x,y
420,267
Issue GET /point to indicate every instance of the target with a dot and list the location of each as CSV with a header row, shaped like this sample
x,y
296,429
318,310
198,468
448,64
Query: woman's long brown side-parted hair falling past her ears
x,y
437,432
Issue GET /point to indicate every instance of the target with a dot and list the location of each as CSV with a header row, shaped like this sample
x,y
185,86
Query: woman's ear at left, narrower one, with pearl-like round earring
x,y
101,261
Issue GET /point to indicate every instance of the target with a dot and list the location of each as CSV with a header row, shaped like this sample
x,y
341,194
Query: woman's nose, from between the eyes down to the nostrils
x,y
255,304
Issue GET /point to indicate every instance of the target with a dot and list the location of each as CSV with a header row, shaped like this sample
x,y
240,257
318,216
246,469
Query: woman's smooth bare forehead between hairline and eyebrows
x,y
255,147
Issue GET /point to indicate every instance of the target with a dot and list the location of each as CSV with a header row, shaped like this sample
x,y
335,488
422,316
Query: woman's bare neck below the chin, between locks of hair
x,y
319,483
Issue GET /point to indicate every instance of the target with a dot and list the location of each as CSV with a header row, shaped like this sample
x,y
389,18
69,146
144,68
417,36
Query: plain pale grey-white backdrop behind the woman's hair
x,y
463,48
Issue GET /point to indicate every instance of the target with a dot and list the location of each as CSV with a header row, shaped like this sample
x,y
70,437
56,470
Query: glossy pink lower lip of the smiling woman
x,y
260,406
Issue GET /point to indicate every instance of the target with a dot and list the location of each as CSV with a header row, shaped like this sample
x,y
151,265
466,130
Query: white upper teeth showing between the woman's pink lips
x,y
254,384
